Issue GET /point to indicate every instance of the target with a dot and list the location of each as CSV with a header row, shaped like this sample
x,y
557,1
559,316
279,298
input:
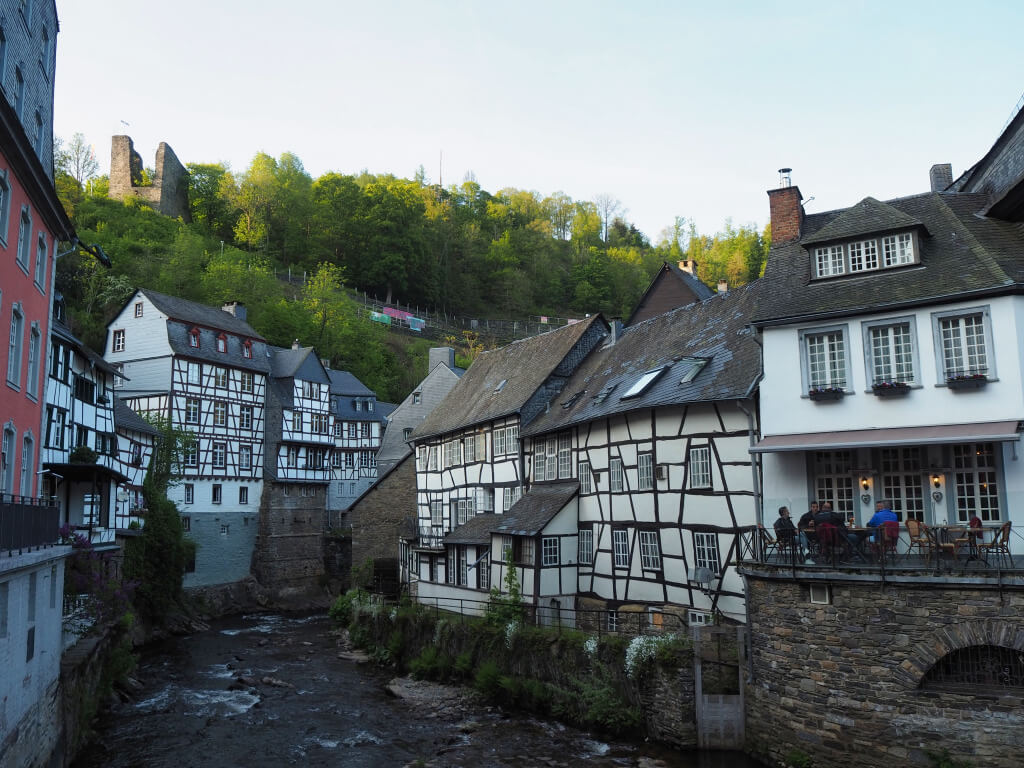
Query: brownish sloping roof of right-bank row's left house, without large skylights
x,y
524,366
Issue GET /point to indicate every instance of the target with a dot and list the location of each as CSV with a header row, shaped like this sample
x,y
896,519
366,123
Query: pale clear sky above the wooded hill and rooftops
x,y
673,109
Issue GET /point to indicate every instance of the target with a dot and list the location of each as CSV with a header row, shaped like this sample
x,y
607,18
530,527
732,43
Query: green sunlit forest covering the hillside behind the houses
x,y
460,249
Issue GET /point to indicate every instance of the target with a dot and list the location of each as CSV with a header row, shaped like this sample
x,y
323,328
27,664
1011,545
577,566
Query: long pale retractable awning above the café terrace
x,y
995,432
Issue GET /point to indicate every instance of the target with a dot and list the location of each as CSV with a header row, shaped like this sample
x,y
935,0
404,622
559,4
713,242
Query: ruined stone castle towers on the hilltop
x,y
167,195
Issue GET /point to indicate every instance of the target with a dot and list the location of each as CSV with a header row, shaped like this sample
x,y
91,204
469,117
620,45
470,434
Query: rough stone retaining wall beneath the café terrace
x,y
842,682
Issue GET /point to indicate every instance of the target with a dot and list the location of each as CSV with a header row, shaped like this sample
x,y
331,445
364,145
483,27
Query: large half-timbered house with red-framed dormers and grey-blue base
x,y
206,371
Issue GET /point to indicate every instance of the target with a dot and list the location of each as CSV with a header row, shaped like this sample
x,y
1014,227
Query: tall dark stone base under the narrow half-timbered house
x,y
289,558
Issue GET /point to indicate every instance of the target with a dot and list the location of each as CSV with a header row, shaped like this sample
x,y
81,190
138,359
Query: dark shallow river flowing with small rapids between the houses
x,y
271,691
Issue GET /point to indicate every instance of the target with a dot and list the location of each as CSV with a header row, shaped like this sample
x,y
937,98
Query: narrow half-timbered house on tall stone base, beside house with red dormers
x,y
297,471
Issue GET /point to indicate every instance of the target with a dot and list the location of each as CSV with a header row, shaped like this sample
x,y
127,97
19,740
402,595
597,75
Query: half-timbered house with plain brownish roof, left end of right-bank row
x,y
468,457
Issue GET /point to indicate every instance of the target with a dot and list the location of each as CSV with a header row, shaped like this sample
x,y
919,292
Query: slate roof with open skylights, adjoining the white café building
x,y
714,330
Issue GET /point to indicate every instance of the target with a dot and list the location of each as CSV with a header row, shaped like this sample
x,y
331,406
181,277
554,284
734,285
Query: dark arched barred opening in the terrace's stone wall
x,y
991,669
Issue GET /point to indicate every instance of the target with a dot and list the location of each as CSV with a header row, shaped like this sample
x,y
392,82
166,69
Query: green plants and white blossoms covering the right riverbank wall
x,y
581,679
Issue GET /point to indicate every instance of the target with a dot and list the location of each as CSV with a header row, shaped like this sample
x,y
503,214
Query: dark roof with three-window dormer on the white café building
x,y
962,255
